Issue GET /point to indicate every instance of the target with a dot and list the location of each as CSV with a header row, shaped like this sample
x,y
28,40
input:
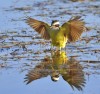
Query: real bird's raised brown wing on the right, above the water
x,y
73,28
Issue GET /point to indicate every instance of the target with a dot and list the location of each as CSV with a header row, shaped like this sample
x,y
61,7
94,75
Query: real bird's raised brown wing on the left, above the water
x,y
40,27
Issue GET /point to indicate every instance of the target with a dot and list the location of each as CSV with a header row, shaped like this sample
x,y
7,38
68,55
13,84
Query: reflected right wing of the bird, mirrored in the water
x,y
75,74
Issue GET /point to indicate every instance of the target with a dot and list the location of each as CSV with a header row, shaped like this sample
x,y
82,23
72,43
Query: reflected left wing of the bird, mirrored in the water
x,y
40,71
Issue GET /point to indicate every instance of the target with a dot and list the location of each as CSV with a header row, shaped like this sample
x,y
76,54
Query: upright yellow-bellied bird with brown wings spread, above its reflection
x,y
59,35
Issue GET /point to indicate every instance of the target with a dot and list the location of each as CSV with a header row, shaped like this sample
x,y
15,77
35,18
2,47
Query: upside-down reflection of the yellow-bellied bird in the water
x,y
59,65
